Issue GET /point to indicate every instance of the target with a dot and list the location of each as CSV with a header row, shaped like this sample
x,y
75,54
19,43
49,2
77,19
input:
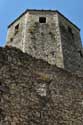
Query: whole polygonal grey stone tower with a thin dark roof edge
x,y
47,35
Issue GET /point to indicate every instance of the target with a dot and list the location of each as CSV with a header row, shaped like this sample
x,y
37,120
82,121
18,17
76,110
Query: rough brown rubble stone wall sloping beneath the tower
x,y
32,92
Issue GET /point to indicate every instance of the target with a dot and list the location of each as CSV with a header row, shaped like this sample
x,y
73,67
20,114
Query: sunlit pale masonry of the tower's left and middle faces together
x,y
41,40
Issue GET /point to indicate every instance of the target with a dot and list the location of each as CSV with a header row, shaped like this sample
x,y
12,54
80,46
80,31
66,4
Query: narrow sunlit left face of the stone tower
x,y
16,40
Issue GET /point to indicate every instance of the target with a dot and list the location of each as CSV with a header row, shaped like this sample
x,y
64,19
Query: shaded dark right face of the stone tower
x,y
71,45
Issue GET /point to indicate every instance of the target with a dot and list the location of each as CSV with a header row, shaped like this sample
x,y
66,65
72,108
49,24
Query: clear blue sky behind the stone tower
x,y
11,9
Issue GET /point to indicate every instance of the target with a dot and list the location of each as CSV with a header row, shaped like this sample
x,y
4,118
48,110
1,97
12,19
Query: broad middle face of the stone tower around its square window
x,y
43,39
